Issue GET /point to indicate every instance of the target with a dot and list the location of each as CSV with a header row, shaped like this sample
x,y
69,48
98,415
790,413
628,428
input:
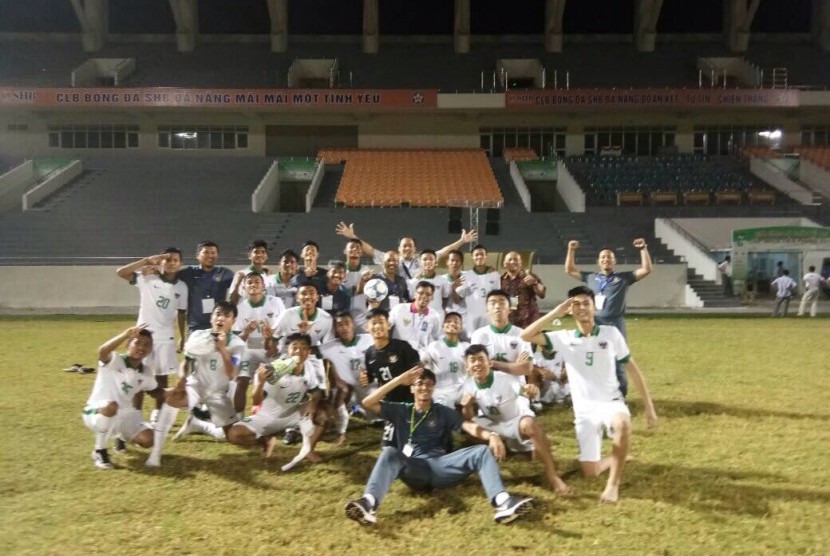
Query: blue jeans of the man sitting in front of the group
x,y
434,472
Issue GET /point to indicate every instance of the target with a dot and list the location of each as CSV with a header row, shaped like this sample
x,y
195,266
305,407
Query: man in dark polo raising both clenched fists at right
x,y
609,288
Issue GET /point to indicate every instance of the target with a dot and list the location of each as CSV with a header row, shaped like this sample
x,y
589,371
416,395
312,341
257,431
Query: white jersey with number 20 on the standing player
x,y
160,304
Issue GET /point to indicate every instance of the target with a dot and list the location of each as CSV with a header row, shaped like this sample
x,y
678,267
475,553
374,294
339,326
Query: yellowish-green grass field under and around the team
x,y
739,464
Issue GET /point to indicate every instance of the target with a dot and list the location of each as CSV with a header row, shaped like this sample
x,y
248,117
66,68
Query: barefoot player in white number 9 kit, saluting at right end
x,y
591,353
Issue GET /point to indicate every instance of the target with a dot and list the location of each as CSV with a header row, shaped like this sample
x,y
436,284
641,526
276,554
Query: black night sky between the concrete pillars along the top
x,y
402,17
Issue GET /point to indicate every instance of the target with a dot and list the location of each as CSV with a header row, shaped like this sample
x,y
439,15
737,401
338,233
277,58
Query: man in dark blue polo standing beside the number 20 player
x,y
207,284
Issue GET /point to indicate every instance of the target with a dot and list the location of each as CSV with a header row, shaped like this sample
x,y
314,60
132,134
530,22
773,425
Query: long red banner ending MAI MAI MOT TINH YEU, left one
x,y
168,97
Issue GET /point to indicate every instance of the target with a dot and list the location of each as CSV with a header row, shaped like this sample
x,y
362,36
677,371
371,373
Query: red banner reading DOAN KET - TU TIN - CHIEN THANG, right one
x,y
651,98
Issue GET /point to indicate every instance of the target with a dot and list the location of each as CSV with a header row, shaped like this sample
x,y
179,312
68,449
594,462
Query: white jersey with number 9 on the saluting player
x,y
591,363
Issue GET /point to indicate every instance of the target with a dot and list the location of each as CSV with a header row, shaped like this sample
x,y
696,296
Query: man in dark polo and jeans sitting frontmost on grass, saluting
x,y
422,462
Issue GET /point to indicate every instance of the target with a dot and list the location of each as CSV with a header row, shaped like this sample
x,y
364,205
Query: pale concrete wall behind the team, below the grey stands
x,y
66,289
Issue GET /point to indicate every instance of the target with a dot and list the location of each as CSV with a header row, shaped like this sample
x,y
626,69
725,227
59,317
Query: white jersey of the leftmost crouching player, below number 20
x,y
116,382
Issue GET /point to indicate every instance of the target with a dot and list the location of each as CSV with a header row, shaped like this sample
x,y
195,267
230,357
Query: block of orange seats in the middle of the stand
x,y
419,178
